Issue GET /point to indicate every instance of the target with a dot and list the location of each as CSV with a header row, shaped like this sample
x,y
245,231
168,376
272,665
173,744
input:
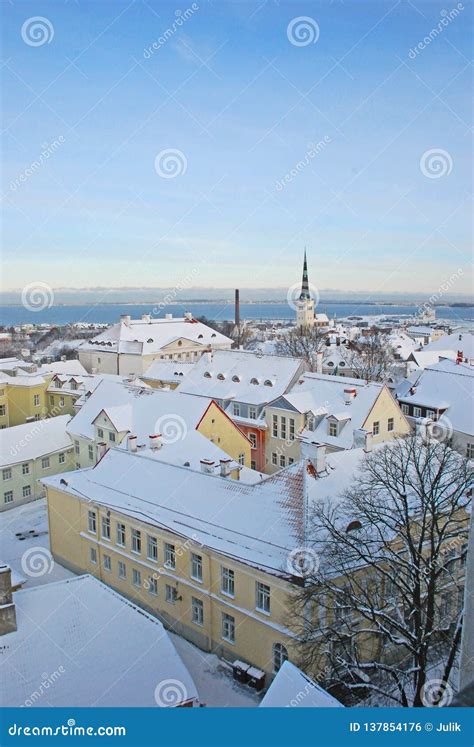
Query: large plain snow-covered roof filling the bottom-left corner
x,y
91,647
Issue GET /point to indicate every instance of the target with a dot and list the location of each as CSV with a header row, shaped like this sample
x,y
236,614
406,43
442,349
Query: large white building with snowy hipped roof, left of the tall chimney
x,y
131,345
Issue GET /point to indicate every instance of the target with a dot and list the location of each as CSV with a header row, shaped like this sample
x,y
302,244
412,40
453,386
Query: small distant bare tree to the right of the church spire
x,y
371,357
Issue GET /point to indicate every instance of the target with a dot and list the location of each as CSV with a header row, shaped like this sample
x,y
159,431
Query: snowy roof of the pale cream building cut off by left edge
x,y
32,440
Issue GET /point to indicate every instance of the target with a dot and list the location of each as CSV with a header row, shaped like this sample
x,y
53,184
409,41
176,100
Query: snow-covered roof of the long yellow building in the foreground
x,y
259,524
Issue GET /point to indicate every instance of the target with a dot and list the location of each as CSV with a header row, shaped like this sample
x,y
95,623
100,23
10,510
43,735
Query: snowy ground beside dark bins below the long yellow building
x,y
213,678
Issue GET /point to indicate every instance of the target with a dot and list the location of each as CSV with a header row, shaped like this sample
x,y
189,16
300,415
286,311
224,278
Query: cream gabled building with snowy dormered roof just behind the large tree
x,y
339,412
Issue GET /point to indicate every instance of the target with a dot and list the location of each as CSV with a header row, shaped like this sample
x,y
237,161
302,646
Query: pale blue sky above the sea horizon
x,y
242,105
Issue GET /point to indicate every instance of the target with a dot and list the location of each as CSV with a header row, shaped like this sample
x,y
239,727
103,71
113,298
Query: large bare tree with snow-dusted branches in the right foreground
x,y
385,606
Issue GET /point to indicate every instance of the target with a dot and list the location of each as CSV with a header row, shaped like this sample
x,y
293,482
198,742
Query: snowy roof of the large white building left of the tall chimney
x,y
148,336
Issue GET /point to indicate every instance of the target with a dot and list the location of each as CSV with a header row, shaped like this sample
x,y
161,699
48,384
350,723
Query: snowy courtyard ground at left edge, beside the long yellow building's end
x,y
24,545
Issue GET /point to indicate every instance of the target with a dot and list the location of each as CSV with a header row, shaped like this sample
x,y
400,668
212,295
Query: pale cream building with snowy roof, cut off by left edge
x,y
28,453
